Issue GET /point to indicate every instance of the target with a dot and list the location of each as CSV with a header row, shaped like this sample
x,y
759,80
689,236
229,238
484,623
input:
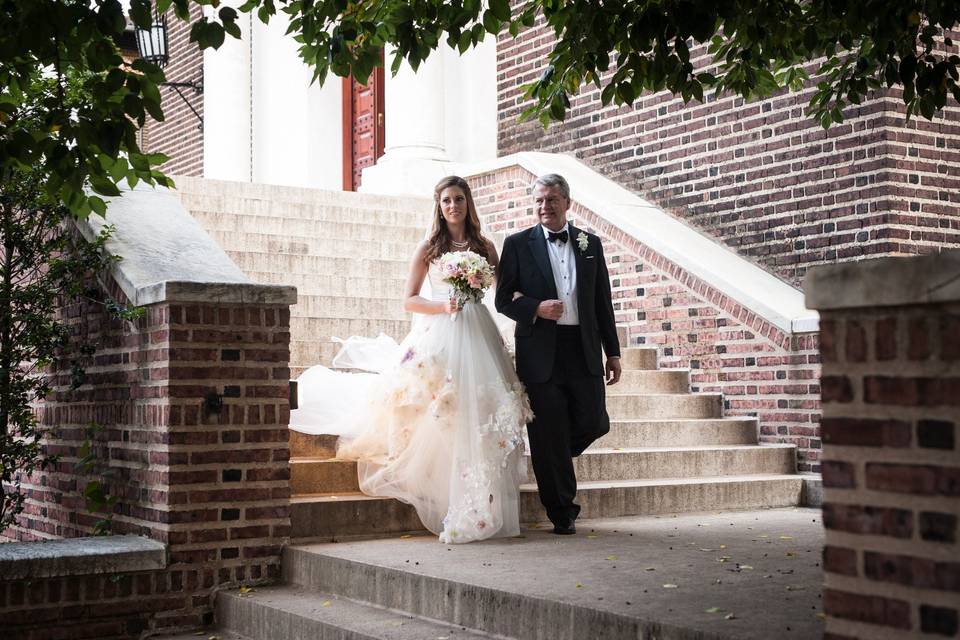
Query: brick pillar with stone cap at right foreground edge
x,y
890,342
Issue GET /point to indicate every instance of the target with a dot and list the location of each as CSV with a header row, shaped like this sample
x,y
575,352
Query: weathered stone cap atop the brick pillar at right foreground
x,y
885,282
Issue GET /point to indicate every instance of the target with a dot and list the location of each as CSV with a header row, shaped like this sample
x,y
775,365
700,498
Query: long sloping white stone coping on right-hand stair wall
x,y
753,287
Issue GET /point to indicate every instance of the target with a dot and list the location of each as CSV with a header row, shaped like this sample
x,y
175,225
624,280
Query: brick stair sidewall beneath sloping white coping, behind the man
x,y
761,370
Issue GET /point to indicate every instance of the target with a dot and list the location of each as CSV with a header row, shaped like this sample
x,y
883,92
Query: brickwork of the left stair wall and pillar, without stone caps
x,y
210,482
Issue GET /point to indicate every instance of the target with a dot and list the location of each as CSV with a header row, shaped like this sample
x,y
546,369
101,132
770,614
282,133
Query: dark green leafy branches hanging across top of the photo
x,y
623,47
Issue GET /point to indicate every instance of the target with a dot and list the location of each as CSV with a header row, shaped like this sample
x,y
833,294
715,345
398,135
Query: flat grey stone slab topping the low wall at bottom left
x,y
80,556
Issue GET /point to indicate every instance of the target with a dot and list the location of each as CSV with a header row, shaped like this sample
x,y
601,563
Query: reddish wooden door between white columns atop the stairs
x,y
362,126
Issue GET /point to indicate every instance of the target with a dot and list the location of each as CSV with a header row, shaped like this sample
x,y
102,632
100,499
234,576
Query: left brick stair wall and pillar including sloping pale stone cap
x,y
193,398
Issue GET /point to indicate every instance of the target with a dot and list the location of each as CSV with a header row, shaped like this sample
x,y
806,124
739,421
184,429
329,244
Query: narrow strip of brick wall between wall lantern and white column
x,y
179,135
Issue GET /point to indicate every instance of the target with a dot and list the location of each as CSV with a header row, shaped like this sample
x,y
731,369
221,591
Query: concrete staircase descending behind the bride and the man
x,y
668,450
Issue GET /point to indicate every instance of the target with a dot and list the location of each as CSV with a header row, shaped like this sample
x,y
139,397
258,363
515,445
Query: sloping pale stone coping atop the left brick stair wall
x,y
167,253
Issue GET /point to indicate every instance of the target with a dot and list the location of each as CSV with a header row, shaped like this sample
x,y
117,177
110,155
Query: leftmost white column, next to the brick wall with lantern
x,y
226,108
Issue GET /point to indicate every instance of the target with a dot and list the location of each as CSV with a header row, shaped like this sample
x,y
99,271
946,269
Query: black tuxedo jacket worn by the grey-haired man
x,y
525,267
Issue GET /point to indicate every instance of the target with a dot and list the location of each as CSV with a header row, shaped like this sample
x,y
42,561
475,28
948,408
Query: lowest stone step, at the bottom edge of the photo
x,y
291,612
